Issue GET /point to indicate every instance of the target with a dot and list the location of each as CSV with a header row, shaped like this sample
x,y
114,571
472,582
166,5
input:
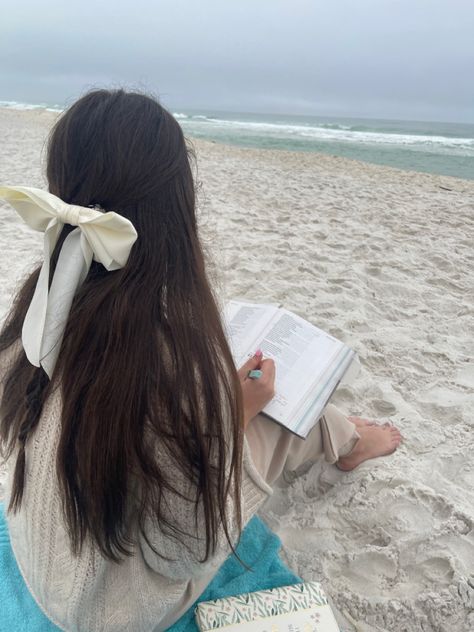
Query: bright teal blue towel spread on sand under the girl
x,y
258,548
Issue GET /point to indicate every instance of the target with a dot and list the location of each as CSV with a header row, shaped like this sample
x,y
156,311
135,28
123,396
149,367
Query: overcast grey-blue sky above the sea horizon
x,y
408,59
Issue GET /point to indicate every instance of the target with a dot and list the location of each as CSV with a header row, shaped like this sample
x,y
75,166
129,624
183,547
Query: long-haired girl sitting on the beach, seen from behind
x,y
135,449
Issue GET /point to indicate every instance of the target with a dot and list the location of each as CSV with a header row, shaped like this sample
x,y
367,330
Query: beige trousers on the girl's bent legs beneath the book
x,y
276,451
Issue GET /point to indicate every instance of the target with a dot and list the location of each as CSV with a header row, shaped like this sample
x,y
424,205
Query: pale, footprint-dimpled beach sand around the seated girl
x,y
384,260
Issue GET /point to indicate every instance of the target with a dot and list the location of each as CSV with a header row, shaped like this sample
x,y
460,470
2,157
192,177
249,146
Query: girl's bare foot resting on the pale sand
x,y
374,441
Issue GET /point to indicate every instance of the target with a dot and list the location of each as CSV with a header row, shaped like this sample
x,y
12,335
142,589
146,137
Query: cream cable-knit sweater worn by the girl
x,y
89,593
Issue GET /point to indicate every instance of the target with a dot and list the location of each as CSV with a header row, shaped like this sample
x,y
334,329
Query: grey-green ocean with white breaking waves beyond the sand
x,y
432,147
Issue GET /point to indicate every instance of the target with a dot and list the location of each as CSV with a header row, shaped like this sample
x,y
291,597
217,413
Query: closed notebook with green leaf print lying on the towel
x,y
303,607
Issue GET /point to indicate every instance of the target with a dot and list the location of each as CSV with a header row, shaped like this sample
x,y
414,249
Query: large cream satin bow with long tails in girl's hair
x,y
106,237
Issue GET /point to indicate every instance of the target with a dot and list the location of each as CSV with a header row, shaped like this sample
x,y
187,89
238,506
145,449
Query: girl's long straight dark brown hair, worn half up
x,y
144,368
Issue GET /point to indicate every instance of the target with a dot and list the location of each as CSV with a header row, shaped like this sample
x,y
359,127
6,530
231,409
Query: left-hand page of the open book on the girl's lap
x,y
244,324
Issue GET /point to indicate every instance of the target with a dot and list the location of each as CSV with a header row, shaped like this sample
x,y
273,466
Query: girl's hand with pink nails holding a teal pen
x,y
256,393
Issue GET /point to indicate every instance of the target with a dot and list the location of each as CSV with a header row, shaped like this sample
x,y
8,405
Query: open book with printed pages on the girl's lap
x,y
309,362
